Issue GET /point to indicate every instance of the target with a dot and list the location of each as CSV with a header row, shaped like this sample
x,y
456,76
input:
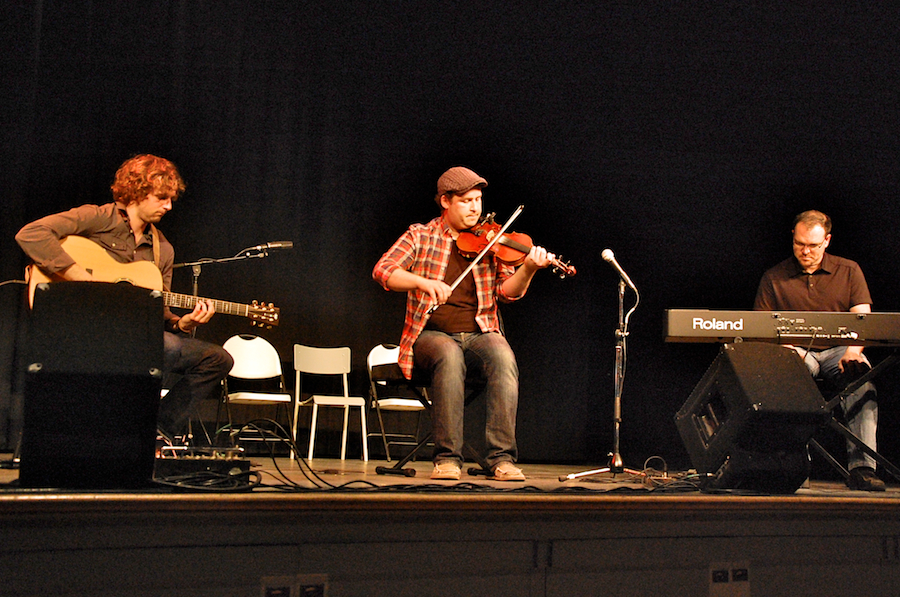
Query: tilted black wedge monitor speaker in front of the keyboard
x,y
747,423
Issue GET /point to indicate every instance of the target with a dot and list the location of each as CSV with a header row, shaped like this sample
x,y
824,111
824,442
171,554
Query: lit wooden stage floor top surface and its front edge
x,y
324,476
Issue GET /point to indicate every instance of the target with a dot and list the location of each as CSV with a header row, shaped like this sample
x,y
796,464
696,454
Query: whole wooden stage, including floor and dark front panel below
x,y
341,526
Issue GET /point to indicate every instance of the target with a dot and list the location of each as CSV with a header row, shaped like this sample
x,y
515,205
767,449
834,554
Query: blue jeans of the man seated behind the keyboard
x,y
824,365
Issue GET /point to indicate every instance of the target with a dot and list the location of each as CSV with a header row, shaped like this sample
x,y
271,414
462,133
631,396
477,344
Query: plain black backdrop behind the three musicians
x,y
682,135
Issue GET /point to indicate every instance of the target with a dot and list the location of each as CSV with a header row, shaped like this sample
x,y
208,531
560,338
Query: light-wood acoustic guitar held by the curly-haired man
x,y
145,274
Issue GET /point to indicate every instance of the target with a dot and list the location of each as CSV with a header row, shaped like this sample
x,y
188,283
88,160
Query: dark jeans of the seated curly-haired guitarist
x,y
202,367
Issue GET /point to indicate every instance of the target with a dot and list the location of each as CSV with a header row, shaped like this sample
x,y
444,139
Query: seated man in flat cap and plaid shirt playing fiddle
x,y
462,336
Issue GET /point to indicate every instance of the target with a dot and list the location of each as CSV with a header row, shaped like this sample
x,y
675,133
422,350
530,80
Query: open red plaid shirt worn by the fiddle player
x,y
424,250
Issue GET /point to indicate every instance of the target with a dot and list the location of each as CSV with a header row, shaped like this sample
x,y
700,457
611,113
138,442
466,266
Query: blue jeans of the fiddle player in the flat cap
x,y
484,359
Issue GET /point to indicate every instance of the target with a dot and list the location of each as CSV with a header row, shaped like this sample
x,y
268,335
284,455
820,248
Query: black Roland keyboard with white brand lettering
x,y
785,327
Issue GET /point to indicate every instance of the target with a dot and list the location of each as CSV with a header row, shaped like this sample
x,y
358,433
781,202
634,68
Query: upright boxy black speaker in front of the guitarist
x,y
92,386
